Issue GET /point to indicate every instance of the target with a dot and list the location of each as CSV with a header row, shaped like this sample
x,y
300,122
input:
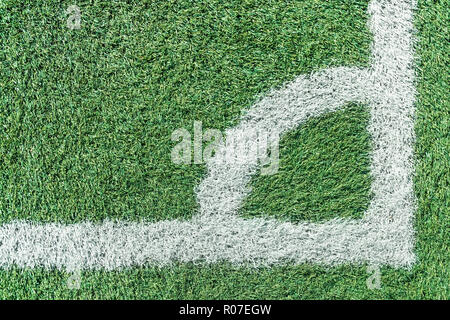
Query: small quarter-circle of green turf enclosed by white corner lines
x,y
324,171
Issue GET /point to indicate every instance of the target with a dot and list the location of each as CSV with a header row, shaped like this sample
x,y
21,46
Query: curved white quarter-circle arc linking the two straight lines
x,y
225,186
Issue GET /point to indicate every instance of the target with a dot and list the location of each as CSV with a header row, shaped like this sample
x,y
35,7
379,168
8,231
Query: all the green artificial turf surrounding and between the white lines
x,y
86,118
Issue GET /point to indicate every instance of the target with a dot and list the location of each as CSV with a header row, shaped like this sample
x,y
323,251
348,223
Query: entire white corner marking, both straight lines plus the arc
x,y
383,236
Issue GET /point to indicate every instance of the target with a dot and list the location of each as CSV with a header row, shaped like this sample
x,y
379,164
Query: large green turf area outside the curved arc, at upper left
x,y
87,115
